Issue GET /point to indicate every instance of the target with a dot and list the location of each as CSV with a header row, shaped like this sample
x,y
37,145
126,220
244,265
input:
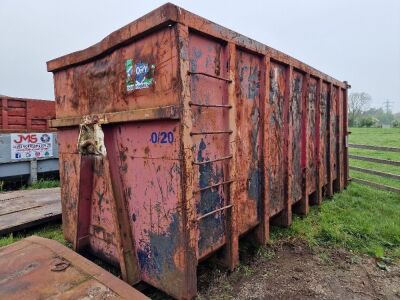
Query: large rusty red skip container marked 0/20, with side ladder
x,y
177,136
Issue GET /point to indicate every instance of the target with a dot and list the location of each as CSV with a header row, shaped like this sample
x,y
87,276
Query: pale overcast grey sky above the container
x,y
353,40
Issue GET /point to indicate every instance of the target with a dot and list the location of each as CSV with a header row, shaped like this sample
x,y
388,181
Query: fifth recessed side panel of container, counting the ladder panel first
x,y
312,158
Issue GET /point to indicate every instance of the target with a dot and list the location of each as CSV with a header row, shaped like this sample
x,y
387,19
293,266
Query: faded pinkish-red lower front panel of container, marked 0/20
x,y
147,154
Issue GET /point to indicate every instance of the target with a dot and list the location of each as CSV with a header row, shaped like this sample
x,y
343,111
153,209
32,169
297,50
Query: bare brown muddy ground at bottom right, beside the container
x,y
291,270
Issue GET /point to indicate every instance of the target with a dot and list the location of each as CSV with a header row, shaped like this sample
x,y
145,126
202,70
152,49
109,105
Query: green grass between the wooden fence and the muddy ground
x,y
360,219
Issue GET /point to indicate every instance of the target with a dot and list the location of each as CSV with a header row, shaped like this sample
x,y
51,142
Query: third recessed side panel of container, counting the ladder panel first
x,y
276,142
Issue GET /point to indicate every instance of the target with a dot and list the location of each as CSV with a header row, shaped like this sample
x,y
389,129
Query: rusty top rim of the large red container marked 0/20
x,y
170,13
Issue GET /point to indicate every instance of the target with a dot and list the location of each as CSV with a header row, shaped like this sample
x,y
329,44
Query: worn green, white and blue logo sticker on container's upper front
x,y
138,76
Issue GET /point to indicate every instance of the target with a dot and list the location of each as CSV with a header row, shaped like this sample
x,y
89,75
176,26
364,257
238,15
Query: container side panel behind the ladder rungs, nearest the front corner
x,y
208,56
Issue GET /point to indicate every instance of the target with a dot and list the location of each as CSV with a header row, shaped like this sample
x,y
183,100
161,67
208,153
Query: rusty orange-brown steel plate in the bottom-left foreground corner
x,y
39,268
